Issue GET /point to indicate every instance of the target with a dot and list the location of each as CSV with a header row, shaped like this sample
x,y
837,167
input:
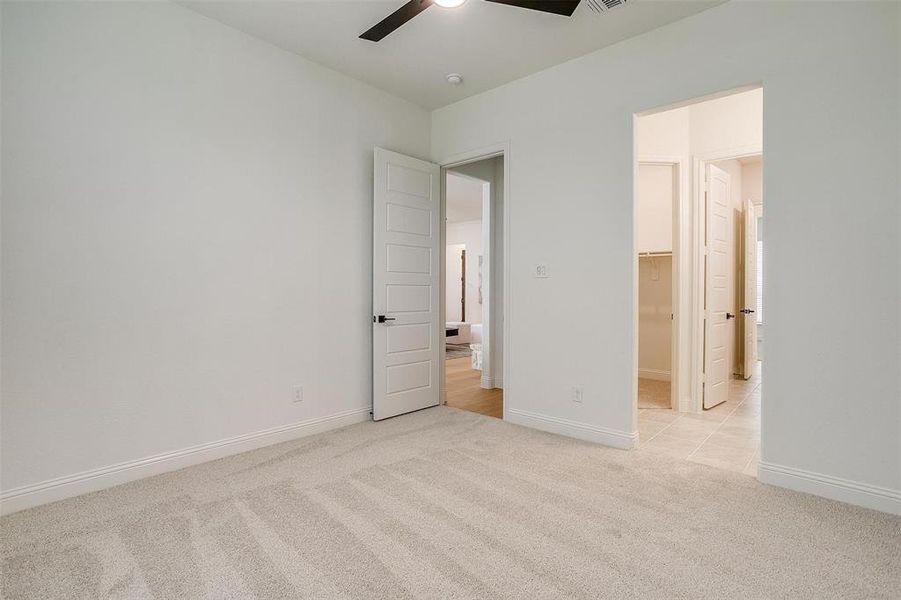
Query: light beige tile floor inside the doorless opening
x,y
726,436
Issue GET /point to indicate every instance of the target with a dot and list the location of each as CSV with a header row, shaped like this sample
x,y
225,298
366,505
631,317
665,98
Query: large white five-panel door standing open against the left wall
x,y
405,285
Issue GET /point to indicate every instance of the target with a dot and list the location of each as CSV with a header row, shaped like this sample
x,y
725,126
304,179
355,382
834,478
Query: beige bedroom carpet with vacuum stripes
x,y
448,504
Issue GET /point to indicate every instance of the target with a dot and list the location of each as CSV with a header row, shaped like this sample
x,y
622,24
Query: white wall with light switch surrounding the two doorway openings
x,y
831,410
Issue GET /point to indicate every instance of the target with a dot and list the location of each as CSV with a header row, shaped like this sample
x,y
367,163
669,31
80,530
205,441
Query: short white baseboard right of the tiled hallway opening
x,y
843,490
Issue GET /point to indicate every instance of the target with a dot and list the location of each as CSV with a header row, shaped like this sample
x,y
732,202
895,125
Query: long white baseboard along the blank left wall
x,y
97,479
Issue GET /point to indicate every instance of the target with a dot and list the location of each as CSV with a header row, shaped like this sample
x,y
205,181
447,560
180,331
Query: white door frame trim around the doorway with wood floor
x,y
455,160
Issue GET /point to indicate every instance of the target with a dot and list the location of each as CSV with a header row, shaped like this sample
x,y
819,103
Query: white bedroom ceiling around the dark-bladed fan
x,y
489,44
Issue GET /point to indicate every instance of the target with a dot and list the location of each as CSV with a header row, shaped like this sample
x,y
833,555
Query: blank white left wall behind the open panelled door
x,y
185,236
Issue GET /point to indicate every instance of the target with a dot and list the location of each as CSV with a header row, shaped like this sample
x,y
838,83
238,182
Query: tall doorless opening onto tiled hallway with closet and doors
x,y
698,200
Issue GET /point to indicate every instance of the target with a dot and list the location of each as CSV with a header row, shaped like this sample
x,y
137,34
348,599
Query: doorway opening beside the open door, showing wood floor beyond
x,y
473,286
